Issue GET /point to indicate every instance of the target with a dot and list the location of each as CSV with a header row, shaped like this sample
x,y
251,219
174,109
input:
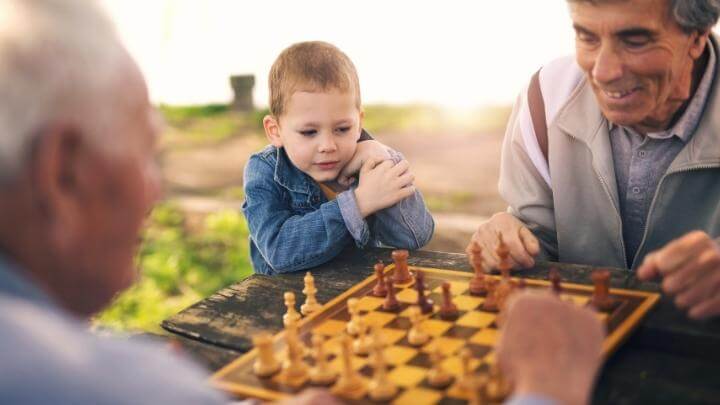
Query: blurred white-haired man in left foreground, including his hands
x,y
77,177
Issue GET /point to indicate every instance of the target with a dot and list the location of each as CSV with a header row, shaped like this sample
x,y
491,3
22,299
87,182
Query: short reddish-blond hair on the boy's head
x,y
310,66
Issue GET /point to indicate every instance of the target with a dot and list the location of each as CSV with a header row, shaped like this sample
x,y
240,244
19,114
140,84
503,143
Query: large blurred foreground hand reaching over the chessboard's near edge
x,y
550,347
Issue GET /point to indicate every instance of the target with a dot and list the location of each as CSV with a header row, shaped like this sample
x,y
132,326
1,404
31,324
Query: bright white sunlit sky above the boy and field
x,y
450,53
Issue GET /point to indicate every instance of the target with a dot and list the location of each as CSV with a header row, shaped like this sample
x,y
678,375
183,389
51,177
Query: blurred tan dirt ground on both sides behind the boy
x,y
456,172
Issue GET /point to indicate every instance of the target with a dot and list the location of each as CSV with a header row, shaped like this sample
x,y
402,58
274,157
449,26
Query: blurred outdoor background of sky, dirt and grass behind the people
x,y
438,80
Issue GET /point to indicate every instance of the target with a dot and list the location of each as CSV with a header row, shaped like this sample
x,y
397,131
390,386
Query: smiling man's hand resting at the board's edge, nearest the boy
x,y
523,245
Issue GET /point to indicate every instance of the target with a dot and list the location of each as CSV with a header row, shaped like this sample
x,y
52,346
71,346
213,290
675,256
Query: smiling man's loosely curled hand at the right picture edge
x,y
690,270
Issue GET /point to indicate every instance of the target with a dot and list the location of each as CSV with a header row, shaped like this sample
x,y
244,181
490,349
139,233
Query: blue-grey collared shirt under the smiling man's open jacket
x,y
640,161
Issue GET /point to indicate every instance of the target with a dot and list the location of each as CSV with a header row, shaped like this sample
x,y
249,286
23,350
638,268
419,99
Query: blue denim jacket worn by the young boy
x,y
293,226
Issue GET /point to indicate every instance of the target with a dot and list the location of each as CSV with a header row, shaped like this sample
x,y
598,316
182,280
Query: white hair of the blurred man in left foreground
x,y
56,58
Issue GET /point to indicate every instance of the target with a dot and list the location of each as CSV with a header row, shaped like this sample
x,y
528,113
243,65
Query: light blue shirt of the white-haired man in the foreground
x,y
47,356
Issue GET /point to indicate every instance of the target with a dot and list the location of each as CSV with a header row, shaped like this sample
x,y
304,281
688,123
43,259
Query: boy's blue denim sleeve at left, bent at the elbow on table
x,y
289,241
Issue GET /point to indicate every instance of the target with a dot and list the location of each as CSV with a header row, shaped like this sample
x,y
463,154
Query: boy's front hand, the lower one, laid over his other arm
x,y
383,184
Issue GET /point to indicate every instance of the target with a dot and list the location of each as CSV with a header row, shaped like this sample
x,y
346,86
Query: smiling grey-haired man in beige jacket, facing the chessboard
x,y
621,167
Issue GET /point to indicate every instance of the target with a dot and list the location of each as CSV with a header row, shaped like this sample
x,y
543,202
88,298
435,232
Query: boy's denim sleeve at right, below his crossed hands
x,y
407,224
